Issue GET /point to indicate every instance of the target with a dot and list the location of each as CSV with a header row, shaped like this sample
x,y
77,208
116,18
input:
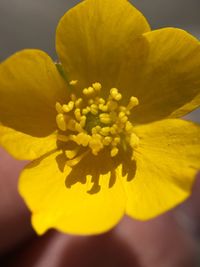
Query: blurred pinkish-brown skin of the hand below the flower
x,y
170,240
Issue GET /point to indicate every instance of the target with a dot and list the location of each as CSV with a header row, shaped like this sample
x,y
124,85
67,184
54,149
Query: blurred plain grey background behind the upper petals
x,y
32,23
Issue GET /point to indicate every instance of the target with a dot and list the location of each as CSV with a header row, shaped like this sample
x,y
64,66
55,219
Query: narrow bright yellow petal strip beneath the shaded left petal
x,y
25,147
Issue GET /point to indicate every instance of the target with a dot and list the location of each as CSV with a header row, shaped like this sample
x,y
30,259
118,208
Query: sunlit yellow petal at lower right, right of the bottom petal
x,y
167,160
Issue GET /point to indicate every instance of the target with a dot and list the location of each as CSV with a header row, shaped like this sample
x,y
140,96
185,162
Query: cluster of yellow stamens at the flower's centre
x,y
95,123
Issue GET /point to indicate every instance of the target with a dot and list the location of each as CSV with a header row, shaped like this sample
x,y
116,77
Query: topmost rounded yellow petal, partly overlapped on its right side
x,y
92,39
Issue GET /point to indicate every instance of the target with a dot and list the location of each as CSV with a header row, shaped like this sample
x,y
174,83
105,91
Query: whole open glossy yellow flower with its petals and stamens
x,y
103,126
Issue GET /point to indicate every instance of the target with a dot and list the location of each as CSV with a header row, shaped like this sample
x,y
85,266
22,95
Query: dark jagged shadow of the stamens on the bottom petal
x,y
91,168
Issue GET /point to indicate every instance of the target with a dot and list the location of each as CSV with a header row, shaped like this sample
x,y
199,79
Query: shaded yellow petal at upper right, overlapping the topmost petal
x,y
165,76
